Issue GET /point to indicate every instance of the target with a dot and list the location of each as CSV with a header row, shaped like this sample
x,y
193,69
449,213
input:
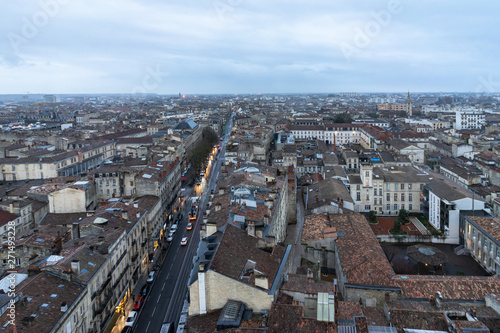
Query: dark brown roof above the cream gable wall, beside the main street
x,y
236,248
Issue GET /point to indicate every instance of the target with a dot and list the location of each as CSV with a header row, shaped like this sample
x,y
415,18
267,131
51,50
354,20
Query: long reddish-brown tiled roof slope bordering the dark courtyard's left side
x,y
363,260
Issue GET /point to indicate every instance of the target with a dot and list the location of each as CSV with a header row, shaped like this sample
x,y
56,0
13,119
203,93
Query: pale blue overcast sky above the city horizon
x,y
243,46
